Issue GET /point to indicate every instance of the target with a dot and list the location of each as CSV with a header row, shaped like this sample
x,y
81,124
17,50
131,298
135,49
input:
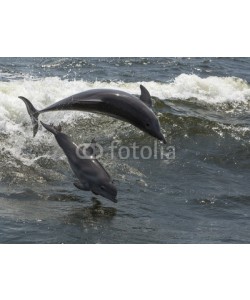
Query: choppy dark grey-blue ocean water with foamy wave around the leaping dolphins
x,y
201,195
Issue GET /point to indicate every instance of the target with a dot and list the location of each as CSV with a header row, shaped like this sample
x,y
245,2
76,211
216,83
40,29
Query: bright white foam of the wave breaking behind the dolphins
x,y
43,92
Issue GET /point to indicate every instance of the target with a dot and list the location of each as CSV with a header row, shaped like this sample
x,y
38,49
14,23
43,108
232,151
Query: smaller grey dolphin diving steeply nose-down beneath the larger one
x,y
91,174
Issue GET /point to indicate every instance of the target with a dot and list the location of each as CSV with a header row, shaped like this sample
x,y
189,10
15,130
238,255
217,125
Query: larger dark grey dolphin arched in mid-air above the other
x,y
114,103
